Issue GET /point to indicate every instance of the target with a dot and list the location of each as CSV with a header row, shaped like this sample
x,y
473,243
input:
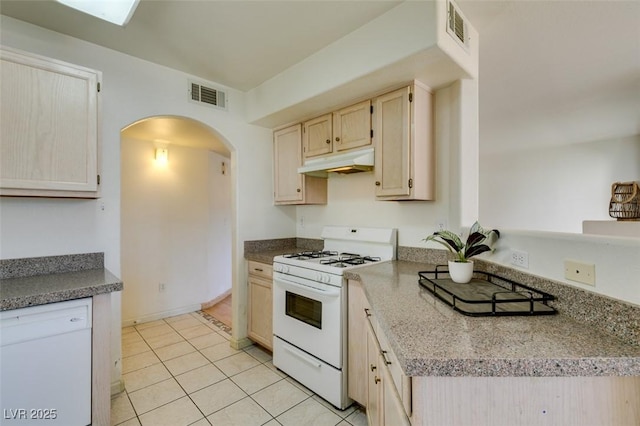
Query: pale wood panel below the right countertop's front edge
x,y
488,401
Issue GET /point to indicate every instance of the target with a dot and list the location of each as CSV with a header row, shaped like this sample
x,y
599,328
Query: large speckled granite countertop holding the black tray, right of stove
x,y
430,339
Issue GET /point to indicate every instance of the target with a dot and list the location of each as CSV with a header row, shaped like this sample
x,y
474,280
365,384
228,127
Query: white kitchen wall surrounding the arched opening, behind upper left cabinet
x,y
134,89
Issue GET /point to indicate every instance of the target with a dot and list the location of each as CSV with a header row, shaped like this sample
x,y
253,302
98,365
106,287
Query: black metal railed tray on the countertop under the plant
x,y
486,294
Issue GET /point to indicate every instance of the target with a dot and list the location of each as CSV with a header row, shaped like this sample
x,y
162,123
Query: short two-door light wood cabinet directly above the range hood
x,y
342,130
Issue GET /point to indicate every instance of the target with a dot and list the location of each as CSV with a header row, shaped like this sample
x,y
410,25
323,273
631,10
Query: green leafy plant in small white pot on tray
x,y
461,268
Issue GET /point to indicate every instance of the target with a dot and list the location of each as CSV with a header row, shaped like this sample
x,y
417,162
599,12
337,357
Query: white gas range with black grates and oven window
x,y
310,306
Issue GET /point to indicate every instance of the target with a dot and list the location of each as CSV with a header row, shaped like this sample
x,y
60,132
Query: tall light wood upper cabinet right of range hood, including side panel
x,y
403,137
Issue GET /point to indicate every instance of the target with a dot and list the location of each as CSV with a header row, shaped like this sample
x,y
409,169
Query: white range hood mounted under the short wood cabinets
x,y
360,160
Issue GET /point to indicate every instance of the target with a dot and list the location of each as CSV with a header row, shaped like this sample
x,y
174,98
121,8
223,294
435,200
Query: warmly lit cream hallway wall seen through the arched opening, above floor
x,y
176,217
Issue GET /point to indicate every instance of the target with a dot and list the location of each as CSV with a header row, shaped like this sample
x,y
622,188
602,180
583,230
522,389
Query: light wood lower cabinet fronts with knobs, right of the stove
x,y
372,368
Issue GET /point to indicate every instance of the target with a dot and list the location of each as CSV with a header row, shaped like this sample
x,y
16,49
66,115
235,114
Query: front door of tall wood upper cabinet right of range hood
x,y
391,135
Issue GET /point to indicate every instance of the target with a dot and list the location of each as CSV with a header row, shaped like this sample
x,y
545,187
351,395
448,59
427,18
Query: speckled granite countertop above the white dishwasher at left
x,y
41,289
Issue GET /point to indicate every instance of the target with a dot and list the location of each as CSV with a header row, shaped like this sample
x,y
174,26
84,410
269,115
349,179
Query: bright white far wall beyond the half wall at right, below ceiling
x,y
554,188
